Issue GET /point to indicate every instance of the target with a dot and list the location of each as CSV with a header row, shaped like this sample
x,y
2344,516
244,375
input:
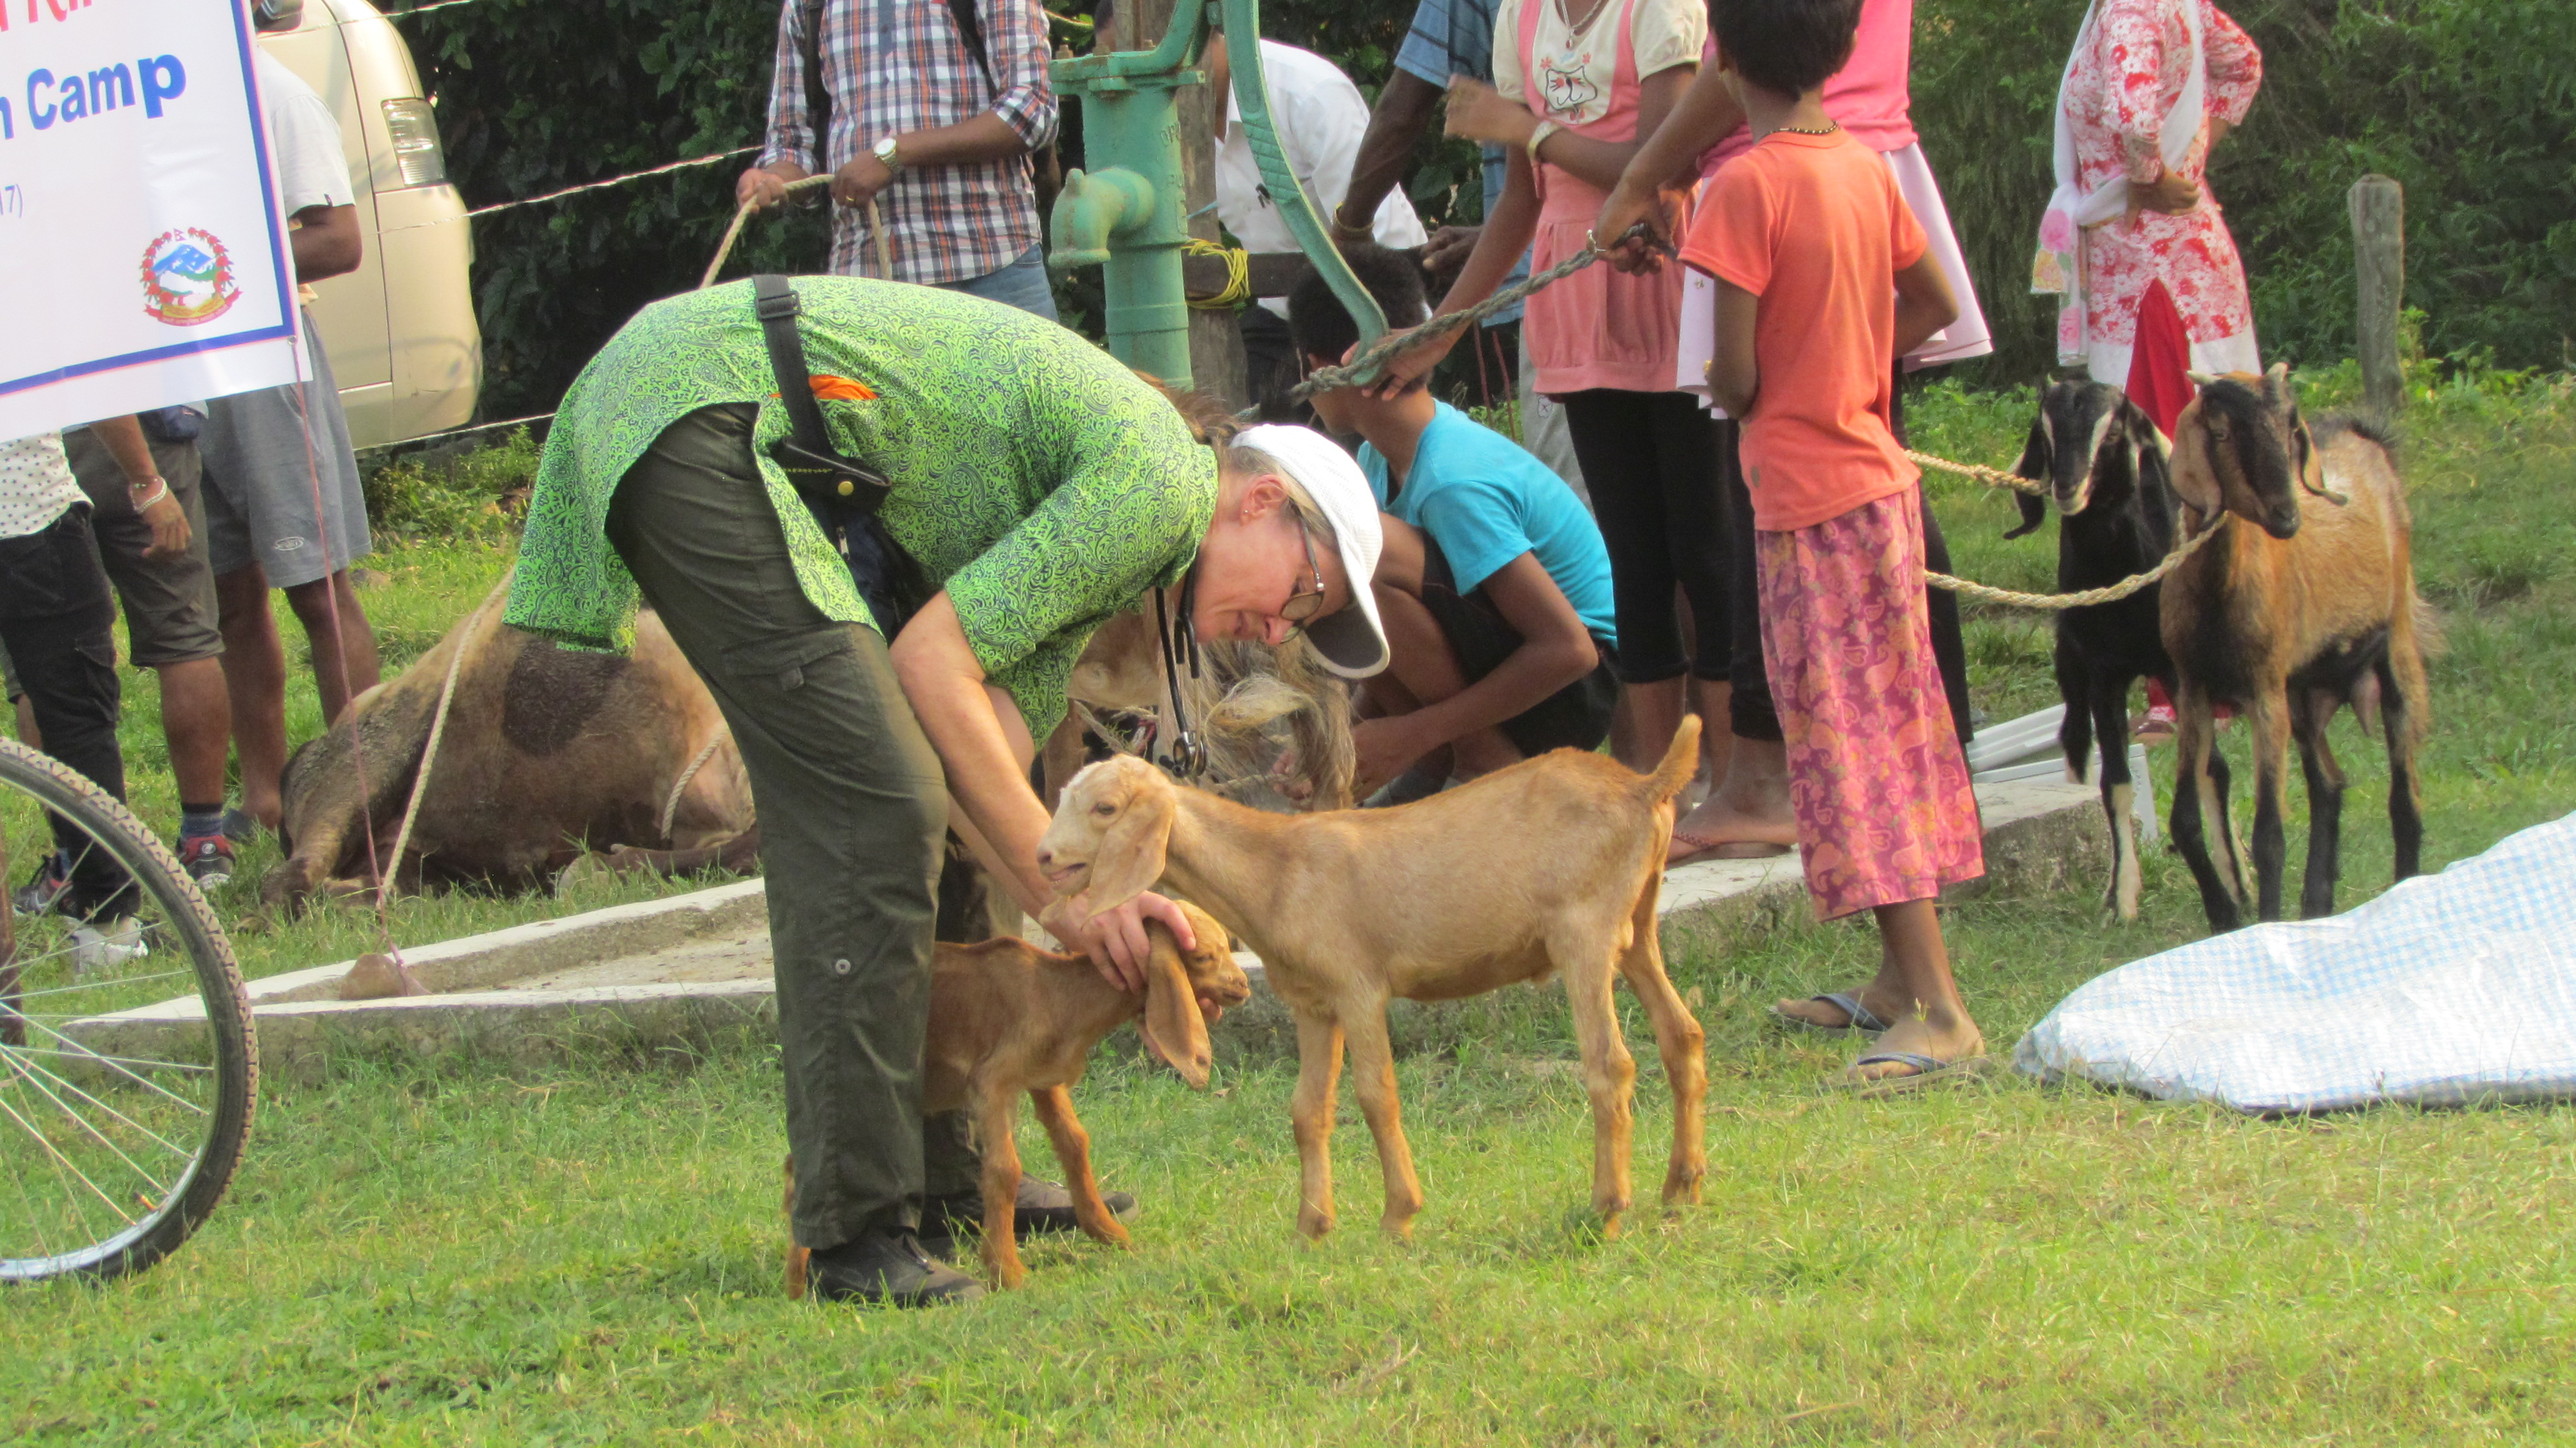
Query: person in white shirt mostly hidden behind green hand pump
x,y
1320,122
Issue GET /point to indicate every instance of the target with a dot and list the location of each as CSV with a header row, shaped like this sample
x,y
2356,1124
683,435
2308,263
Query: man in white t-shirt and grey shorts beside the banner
x,y
282,506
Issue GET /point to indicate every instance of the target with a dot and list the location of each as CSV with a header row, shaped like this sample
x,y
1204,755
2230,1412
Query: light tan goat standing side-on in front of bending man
x,y
1544,867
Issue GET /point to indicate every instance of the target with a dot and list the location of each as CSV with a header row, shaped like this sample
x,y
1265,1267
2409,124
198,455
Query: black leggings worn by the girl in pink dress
x,y
1653,468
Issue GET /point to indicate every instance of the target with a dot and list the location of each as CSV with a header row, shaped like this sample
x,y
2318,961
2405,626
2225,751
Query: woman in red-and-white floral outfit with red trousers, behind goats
x,y
2150,89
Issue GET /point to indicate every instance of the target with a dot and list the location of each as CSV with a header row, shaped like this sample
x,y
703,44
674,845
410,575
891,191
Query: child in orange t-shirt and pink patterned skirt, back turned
x,y
1823,277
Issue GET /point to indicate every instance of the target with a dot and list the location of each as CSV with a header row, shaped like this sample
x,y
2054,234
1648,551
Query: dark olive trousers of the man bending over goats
x,y
854,810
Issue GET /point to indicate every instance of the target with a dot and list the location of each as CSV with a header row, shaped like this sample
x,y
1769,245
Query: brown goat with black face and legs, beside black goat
x,y
2302,607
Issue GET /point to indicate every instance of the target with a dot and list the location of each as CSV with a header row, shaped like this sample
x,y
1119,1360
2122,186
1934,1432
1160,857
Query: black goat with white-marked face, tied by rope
x,y
2106,465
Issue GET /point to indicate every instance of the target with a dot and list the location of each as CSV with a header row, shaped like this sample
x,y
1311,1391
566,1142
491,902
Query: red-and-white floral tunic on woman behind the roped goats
x,y
2121,89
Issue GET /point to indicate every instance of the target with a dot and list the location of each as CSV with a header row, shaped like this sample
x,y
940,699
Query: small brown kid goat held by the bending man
x,y
1014,1019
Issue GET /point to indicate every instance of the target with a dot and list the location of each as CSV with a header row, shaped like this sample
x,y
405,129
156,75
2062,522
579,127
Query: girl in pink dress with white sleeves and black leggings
x,y
1578,86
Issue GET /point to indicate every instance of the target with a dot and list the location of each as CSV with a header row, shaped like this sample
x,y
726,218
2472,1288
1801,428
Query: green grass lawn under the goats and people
x,y
452,1253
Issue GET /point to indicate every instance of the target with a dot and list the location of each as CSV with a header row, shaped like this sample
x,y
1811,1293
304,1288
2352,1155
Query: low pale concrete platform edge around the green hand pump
x,y
689,973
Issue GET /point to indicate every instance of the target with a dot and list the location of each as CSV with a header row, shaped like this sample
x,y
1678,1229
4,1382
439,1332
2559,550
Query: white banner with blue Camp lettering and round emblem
x,y
143,254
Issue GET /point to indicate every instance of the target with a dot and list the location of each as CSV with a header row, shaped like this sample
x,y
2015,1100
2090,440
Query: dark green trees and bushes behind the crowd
x,y
2469,104
